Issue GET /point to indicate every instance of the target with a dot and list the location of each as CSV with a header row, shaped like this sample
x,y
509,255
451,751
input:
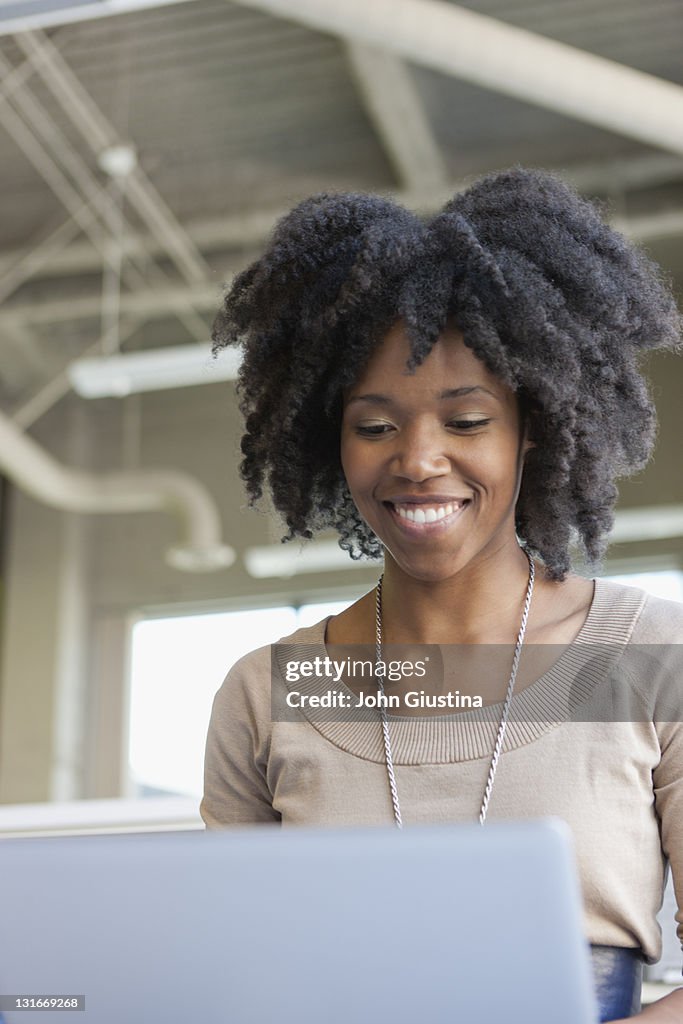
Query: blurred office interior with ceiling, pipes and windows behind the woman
x,y
147,152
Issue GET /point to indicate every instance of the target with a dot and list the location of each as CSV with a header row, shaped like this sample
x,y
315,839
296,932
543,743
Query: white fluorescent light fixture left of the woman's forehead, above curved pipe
x,y
154,370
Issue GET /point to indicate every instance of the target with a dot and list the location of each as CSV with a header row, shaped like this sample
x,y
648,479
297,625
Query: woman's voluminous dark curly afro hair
x,y
551,300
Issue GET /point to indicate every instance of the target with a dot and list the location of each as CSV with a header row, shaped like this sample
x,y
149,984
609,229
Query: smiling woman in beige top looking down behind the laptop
x,y
458,398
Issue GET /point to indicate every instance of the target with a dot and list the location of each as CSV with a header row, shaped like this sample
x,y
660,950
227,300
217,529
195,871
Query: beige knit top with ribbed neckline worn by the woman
x,y
597,741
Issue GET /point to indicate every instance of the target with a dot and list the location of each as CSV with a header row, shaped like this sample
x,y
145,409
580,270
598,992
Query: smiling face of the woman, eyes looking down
x,y
434,459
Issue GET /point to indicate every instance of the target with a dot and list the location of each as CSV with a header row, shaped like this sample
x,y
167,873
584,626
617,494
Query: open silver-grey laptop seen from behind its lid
x,y
258,926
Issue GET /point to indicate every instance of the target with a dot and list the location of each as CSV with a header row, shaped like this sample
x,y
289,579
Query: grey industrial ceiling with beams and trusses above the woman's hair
x,y
235,111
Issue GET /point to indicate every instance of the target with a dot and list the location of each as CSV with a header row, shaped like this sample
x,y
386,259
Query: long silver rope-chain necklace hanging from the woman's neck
x,y
389,758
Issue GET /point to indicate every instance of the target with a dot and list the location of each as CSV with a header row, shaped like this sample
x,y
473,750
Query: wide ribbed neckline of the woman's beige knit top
x,y
469,736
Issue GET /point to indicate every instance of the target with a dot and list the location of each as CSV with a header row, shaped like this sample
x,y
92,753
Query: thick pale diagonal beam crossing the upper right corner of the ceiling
x,y
507,60
